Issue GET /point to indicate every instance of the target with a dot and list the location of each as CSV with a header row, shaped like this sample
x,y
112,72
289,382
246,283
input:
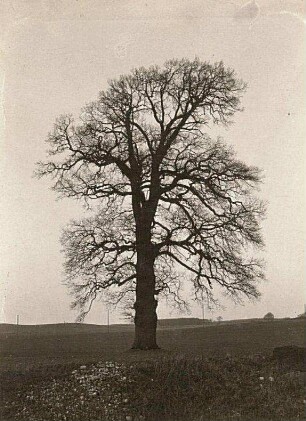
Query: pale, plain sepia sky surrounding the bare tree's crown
x,y
55,56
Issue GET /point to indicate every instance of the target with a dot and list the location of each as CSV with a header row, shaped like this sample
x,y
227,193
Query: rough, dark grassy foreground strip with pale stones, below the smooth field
x,y
165,389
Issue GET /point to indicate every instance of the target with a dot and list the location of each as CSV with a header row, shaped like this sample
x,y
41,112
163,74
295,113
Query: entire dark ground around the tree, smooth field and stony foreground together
x,y
213,372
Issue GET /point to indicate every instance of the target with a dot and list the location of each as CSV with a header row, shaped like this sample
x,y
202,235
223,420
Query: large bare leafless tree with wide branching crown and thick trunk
x,y
170,202
